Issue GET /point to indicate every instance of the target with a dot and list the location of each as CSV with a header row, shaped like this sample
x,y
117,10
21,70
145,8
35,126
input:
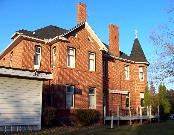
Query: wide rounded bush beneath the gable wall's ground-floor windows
x,y
86,117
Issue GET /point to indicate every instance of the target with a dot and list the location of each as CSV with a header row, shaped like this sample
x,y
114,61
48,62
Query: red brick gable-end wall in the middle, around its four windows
x,y
79,76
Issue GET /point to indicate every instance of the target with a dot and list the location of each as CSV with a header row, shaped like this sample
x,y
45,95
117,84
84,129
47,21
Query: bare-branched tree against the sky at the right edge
x,y
163,39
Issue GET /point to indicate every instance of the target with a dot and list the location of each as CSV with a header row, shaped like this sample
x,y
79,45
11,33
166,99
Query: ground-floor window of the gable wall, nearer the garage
x,y
69,97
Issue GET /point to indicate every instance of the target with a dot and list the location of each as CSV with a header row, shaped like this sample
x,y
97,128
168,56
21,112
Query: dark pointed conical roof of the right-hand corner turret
x,y
137,53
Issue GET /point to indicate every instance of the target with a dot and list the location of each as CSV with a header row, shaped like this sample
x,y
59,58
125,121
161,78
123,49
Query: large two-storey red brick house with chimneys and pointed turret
x,y
86,72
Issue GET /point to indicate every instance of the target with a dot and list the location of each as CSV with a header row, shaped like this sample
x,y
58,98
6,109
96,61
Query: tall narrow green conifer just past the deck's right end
x,y
163,102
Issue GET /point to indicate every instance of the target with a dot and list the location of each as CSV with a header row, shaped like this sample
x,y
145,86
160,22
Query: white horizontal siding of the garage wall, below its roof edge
x,y
20,101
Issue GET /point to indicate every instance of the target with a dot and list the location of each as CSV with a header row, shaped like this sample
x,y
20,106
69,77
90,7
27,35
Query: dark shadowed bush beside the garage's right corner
x,y
49,116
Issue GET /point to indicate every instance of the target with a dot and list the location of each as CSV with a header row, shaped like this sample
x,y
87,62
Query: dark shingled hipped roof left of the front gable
x,y
45,32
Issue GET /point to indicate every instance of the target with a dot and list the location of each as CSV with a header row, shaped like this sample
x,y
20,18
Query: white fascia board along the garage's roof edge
x,y
28,74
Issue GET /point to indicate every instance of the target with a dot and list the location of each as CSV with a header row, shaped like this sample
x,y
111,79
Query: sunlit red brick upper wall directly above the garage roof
x,y
23,56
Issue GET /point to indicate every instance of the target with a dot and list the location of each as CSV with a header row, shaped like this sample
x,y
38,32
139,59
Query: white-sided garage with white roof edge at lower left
x,y
21,99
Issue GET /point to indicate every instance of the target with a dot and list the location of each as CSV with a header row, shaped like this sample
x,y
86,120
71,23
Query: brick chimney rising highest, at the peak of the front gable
x,y
81,12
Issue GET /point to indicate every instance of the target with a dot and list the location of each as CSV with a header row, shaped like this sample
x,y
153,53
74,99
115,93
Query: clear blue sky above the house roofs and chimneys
x,y
143,15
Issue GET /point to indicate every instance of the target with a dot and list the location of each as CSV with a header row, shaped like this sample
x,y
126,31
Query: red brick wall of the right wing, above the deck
x,y
116,81
